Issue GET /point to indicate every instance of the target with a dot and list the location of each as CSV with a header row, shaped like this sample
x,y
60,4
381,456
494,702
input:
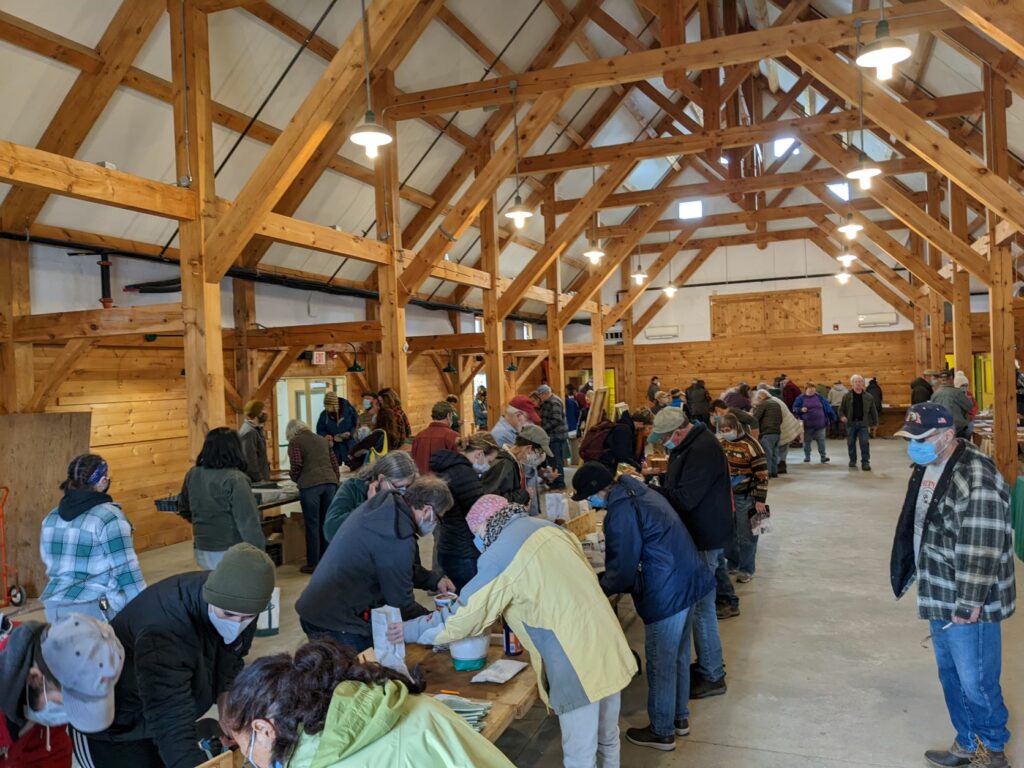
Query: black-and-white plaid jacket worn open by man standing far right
x,y
966,559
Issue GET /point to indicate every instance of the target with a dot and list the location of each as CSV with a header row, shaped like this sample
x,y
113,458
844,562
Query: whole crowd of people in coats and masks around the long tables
x,y
684,485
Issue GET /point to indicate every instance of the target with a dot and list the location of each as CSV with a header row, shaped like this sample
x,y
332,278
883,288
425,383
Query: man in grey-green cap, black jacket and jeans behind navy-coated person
x,y
699,488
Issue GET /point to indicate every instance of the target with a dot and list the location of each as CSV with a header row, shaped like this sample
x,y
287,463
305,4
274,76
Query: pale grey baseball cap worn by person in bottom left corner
x,y
86,658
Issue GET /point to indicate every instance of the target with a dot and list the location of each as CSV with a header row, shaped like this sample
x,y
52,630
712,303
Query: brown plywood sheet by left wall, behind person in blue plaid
x,y
35,453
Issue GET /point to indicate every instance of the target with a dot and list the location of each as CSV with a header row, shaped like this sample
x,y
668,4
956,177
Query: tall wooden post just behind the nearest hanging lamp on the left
x,y
394,364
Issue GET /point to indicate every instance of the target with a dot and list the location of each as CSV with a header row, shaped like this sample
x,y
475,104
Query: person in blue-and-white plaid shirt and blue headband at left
x,y
87,546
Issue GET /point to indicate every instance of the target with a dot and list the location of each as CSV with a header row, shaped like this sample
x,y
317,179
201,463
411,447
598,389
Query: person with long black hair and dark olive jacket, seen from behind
x,y
218,499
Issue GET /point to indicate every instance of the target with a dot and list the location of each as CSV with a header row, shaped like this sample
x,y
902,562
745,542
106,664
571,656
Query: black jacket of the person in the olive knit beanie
x,y
177,665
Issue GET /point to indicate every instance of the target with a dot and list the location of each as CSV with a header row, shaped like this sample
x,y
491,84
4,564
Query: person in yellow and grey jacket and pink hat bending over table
x,y
534,574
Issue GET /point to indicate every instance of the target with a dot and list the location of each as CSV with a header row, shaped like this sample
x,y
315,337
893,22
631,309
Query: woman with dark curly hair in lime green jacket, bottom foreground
x,y
324,708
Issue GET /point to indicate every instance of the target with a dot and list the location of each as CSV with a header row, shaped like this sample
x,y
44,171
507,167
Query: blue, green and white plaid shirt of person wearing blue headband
x,y
91,558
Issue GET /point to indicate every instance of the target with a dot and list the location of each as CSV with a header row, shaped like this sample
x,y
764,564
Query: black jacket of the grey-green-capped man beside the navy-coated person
x,y
698,486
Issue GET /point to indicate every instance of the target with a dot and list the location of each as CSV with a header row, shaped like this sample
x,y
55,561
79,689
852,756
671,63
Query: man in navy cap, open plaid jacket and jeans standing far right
x,y
955,536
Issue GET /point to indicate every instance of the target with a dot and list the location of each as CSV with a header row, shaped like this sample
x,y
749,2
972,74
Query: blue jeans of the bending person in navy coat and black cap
x,y
668,665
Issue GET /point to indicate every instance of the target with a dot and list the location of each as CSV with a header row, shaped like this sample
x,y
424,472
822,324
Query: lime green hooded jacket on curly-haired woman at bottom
x,y
374,726
